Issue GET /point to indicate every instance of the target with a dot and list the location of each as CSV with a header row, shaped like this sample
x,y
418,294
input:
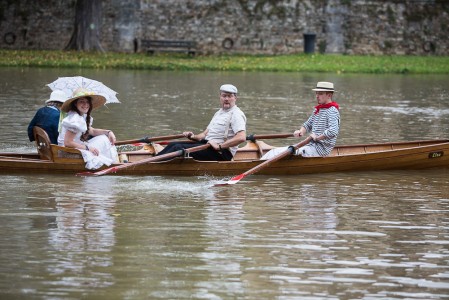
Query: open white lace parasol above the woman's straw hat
x,y
70,84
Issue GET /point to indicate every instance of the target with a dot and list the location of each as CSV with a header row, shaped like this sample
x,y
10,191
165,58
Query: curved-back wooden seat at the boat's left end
x,y
52,152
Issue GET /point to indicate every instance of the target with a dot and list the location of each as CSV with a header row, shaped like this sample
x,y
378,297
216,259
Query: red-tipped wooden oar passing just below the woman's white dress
x,y
145,161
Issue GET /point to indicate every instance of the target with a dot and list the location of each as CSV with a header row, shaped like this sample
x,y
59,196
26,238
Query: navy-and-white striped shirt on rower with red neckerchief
x,y
326,122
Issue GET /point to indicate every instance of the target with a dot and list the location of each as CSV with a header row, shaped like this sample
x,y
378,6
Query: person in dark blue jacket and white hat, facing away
x,y
47,117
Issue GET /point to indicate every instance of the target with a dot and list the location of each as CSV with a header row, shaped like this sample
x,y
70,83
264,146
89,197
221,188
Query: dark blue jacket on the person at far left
x,y
46,118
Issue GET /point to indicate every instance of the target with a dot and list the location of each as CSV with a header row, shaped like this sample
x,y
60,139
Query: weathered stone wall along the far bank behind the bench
x,y
415,27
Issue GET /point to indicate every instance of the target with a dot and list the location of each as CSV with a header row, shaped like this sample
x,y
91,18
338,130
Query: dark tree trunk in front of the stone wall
x,y
86,34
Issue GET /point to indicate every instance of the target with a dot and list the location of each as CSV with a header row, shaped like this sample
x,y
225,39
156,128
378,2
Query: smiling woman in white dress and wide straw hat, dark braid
x,y
96,145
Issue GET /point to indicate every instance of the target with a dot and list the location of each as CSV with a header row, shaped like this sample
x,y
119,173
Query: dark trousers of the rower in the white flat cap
x,y
208,154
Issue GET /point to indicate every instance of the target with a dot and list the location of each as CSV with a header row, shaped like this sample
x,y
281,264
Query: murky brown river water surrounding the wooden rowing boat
x,y
365,235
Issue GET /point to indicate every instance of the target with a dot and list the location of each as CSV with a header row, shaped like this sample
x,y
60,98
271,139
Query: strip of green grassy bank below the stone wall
x,y
284,63
